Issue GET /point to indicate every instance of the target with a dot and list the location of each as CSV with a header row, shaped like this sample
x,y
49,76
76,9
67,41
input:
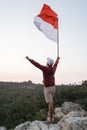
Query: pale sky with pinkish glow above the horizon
x,y
19,37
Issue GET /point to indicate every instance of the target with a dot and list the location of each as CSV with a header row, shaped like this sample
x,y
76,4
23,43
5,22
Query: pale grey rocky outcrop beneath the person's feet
x,y
68,117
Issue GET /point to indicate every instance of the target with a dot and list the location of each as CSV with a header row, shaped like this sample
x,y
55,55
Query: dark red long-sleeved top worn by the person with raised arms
x,y
48,72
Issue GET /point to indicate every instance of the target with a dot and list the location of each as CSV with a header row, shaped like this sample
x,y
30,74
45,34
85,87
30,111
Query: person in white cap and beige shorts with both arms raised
x,y
49,82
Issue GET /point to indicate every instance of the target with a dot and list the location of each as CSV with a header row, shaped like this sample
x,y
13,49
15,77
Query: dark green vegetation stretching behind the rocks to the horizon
x,y
24,101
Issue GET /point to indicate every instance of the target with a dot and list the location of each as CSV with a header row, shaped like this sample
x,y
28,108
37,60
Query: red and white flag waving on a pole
x,y
47,22
